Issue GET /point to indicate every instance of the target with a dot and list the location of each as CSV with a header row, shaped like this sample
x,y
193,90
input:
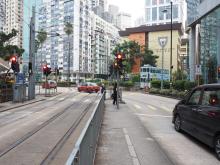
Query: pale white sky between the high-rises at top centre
x,y
133,7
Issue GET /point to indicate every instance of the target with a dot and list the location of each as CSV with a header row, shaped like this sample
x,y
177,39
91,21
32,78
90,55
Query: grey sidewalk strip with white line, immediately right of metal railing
x,y
125,141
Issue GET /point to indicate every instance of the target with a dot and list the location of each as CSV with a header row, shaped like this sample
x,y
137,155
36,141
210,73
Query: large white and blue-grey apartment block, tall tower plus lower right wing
x,y
86,51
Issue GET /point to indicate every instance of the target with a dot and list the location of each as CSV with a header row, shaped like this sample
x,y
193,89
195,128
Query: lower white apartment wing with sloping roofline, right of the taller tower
x,y
104,38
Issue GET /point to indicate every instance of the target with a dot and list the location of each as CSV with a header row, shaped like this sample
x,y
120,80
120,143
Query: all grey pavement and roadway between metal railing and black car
x,y
147,120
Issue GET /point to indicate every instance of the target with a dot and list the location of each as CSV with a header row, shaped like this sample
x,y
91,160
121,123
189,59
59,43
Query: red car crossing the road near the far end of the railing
x,y
88,87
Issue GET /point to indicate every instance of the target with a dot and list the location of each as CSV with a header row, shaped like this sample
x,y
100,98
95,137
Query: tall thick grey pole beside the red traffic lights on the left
x,y
31,88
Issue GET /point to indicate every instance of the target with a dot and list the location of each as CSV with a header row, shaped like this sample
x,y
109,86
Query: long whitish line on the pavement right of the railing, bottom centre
x,y
131,148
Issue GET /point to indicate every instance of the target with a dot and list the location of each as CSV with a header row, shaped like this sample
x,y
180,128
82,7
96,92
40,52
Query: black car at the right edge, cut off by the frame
x,y
199,115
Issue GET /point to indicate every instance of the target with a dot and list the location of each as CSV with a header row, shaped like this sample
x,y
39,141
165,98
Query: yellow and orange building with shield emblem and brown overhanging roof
x,y
149,36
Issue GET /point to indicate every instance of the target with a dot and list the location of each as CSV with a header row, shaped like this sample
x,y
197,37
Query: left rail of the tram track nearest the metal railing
x,y
34,131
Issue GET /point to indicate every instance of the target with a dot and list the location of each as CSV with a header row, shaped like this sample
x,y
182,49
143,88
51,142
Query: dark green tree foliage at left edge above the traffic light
x,y
6,50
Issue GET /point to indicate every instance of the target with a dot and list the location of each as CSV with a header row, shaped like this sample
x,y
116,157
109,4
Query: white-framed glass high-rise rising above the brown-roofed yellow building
x,y
155,15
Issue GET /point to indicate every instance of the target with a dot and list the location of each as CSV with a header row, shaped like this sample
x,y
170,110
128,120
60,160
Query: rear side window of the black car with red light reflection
x,y
211,97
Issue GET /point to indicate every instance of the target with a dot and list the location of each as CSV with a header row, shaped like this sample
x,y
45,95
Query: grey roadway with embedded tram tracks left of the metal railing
x,y
44,132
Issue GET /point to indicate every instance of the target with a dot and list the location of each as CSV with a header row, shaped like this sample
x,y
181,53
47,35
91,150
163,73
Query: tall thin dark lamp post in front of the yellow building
x,y
171,40
